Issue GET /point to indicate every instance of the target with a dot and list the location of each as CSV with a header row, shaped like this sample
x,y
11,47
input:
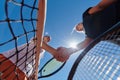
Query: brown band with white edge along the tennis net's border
x,y
40,30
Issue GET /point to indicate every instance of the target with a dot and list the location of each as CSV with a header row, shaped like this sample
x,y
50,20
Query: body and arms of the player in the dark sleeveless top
x,y
96,20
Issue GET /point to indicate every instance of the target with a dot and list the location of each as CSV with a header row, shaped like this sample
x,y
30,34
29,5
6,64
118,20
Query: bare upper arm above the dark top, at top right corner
x,y
101,6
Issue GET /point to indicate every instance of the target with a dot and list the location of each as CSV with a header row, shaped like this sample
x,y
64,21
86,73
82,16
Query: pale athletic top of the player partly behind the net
x,y
26,57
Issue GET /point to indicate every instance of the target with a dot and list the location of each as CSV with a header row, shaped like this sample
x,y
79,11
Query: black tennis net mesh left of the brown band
x,y
18,20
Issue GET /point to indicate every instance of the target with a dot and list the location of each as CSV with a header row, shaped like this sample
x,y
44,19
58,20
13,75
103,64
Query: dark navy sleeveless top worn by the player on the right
x,y
99,22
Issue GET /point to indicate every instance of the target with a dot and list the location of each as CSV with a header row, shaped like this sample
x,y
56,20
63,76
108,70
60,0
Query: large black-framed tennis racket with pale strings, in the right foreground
x,y
101,59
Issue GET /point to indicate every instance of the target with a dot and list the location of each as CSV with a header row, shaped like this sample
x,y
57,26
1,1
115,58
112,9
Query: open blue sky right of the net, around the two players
x,y
62,16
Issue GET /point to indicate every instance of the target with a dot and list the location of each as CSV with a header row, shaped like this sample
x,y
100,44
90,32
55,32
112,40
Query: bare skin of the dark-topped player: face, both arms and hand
x,y
66,52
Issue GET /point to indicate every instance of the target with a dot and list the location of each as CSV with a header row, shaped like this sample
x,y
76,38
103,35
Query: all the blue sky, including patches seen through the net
x,y
62,16
